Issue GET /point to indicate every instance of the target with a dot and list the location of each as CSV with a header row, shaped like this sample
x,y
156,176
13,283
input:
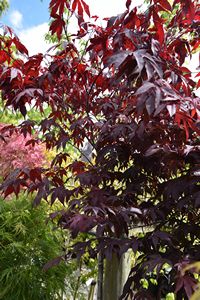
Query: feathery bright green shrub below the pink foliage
x,y
27,243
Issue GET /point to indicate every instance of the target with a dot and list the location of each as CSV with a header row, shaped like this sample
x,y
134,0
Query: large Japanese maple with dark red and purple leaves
x,y
129,96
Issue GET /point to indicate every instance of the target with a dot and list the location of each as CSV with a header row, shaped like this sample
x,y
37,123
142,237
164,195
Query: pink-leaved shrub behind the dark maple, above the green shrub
x,y
14,153
